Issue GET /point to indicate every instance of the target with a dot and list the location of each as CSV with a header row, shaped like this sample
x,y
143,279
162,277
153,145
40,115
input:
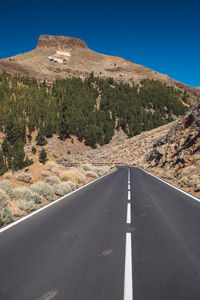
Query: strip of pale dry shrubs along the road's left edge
x,y
21,200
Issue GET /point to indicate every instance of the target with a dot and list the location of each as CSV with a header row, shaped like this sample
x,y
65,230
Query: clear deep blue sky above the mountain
x,y
163,35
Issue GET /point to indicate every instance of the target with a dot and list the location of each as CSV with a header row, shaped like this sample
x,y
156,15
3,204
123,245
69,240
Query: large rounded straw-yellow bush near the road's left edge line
x,y
73,174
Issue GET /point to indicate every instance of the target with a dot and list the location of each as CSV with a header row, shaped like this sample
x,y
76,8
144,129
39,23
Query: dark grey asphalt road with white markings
x,y
111,240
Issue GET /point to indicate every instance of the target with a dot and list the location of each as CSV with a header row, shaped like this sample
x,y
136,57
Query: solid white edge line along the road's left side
x,y
50,204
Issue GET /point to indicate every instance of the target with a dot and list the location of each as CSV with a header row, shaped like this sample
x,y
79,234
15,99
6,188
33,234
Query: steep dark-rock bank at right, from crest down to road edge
x,y
176,156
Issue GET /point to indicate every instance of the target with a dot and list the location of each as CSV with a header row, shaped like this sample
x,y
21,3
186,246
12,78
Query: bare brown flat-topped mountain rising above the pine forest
x,y
60,57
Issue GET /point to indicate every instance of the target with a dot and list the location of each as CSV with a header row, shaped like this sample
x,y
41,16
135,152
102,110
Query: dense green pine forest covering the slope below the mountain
x,y
69,107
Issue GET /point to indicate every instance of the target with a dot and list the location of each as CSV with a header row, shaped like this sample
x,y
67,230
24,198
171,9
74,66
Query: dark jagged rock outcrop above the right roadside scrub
x,y
181,145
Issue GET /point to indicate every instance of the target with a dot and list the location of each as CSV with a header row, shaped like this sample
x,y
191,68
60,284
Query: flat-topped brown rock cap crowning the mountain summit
x,y
59,42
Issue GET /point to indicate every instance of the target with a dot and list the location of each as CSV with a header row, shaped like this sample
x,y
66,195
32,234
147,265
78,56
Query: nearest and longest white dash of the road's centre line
x,y
128,281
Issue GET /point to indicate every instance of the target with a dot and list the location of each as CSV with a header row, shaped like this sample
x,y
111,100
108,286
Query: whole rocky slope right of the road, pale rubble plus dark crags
x,y
171,152
